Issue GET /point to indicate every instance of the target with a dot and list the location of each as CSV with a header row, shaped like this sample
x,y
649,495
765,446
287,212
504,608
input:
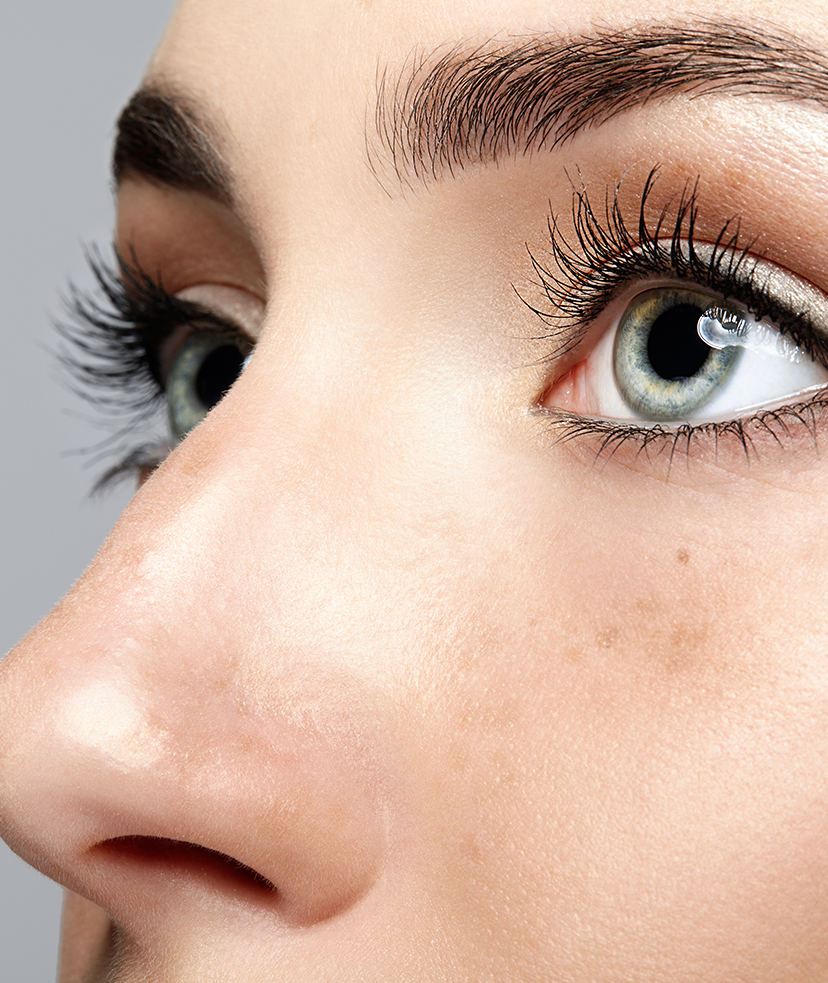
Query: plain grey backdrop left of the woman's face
x,y
65,70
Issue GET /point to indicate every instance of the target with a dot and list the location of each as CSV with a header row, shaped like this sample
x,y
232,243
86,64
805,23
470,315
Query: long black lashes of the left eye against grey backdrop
x,y
111,342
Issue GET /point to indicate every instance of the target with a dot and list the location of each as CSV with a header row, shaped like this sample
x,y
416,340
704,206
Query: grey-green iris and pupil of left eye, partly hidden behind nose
x,y
205,368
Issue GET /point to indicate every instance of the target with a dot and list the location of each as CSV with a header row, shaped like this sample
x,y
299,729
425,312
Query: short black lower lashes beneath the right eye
x,y
608,438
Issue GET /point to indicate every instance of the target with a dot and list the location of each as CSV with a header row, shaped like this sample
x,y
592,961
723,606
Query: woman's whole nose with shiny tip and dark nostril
x,y
167,753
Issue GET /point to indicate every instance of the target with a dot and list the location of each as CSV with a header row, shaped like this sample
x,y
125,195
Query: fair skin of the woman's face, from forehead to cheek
x,y
378,678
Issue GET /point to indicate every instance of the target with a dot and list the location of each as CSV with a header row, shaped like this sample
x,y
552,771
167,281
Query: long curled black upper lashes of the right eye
x,y
582,279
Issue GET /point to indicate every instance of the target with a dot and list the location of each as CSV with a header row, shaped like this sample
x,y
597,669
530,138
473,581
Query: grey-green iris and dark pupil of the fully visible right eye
x,y
663,368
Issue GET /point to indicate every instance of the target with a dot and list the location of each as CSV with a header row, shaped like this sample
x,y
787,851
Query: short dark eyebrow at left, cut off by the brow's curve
x,y
161,137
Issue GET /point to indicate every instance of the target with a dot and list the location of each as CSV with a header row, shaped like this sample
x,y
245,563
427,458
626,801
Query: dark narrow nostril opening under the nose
x,y
150,856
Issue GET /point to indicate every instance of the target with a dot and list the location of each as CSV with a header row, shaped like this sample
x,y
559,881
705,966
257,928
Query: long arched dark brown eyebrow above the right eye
x,y
472,105
